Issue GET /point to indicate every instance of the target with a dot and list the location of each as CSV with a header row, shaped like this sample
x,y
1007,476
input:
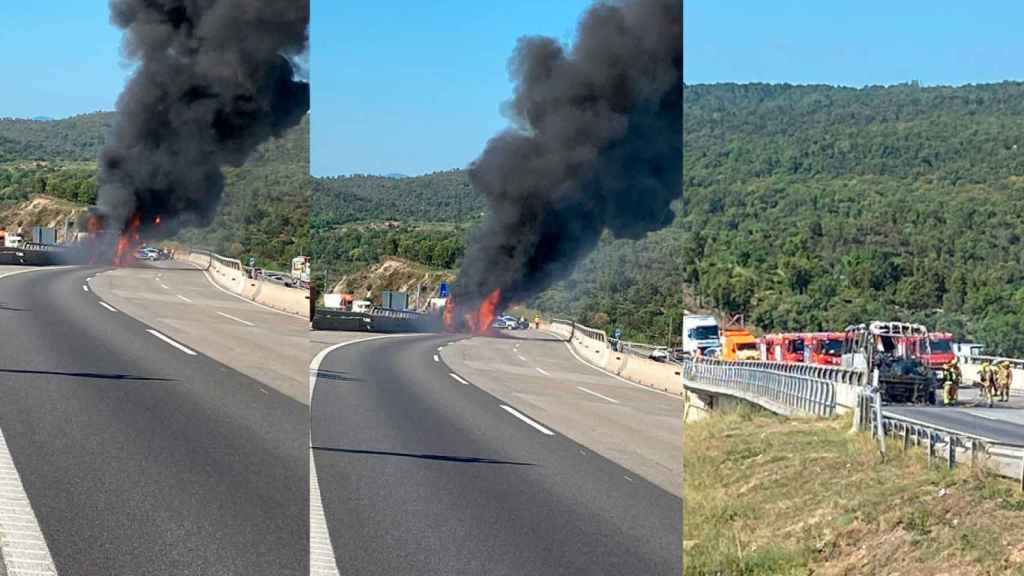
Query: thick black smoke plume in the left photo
x,y
216,79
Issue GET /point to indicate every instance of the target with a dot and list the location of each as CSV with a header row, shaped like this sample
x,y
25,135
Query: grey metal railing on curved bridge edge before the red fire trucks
x,y
785,389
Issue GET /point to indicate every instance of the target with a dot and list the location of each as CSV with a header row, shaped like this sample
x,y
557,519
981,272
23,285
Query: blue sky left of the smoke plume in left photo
x,y
62,58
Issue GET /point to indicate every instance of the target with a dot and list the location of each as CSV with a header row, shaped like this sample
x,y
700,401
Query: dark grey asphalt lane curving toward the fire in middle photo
x,y
421,472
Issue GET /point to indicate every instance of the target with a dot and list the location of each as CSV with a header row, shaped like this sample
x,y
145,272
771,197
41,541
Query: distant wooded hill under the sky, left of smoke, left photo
x,y
75,139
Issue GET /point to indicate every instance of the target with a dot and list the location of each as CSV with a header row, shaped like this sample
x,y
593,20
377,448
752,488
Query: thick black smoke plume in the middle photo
x,y
596,145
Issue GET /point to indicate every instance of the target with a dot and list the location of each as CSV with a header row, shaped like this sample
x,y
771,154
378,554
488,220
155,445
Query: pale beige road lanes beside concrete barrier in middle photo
x,y
634,426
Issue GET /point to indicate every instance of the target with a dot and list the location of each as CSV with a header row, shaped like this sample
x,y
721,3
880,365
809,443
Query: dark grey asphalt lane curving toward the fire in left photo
x,y
138,457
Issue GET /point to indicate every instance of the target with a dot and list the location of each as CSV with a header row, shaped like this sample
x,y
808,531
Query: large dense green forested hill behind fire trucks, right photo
x,y
810,208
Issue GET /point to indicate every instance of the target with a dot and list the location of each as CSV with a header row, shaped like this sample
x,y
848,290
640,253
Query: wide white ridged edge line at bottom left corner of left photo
x,y
23,547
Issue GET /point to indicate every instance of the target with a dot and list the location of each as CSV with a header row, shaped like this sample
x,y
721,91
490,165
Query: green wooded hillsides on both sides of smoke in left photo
x,y
266,210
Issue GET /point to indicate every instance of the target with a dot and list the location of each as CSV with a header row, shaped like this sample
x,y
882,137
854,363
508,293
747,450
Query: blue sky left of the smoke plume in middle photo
x,y
412,88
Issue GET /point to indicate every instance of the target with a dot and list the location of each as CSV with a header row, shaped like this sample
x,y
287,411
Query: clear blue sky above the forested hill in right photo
x,y
854,44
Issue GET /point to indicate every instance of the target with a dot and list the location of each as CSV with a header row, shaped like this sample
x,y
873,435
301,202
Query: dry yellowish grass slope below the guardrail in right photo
x,y
770,497
